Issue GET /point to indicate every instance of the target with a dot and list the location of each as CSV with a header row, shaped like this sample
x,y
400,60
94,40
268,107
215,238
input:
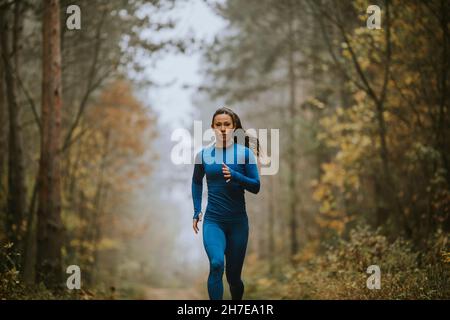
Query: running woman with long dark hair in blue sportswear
x,y
230,169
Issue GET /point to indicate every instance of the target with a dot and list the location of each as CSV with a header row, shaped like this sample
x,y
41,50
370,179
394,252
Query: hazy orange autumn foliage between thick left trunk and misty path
x,y
103,166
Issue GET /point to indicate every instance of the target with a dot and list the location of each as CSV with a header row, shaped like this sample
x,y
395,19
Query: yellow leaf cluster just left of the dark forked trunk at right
x,y
349,131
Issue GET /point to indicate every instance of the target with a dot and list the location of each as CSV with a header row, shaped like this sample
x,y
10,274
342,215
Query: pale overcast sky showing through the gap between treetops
x,y
173,103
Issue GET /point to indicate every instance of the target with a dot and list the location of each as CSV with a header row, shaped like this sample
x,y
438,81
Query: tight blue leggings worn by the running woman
x,y
227,239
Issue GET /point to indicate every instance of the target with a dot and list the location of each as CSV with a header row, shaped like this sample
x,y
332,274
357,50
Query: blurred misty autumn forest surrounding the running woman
x,y
364,179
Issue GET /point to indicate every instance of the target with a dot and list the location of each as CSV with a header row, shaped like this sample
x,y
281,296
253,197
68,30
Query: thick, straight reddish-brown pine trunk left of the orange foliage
x,y
49,227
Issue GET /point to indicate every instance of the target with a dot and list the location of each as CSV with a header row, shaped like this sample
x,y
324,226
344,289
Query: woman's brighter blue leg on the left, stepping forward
x,y
214,243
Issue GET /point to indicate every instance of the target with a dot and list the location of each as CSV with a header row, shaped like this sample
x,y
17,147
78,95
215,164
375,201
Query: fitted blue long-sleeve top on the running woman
x,y
226,201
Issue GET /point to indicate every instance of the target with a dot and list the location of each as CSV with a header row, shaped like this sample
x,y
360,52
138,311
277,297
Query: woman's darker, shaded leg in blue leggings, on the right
x,y
237,238
